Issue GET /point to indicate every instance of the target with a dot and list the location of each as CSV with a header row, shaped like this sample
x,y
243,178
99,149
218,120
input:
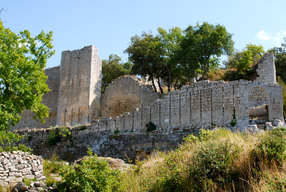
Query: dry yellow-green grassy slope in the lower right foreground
x,y
187,168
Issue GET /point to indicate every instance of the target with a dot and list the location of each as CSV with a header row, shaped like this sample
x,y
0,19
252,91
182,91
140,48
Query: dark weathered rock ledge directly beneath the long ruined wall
x,y
103,143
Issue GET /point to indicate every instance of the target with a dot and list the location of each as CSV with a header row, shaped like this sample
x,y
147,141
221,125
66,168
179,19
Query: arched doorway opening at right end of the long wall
x,y
258,101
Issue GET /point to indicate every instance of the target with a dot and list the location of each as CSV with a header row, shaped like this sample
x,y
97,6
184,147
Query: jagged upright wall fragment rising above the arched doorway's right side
x,y
266,69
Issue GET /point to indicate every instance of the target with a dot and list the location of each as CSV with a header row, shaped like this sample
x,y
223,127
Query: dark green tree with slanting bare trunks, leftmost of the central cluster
x,y
145,53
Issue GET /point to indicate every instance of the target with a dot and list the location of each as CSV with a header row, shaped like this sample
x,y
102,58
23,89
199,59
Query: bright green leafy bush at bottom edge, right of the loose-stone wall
x,y
90,175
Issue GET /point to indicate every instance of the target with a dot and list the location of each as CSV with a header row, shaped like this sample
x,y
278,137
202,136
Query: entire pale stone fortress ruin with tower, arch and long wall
x,y
128,103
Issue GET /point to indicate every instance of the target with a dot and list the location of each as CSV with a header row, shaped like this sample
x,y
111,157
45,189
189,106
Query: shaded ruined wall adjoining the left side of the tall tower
x,y
50,100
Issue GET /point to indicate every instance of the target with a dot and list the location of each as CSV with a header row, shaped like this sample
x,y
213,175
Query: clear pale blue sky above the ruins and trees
x,y
110,24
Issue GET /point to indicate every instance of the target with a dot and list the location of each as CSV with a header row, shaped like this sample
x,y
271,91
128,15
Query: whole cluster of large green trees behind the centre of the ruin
x,y
176,56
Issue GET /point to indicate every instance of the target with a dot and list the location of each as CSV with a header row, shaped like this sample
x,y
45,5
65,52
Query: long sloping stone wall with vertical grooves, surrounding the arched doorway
x,y
202,103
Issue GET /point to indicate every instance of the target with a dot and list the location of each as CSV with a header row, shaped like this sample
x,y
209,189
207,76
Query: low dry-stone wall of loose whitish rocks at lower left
x,y
18,165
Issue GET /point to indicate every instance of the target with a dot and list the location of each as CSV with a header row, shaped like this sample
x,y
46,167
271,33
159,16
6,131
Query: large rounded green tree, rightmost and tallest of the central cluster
x,y
202,44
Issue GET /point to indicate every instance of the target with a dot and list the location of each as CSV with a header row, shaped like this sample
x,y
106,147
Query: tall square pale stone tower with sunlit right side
x,y
80,86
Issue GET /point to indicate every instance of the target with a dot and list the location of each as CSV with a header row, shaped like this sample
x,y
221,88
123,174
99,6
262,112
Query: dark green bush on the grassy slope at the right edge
x,y
271,147
